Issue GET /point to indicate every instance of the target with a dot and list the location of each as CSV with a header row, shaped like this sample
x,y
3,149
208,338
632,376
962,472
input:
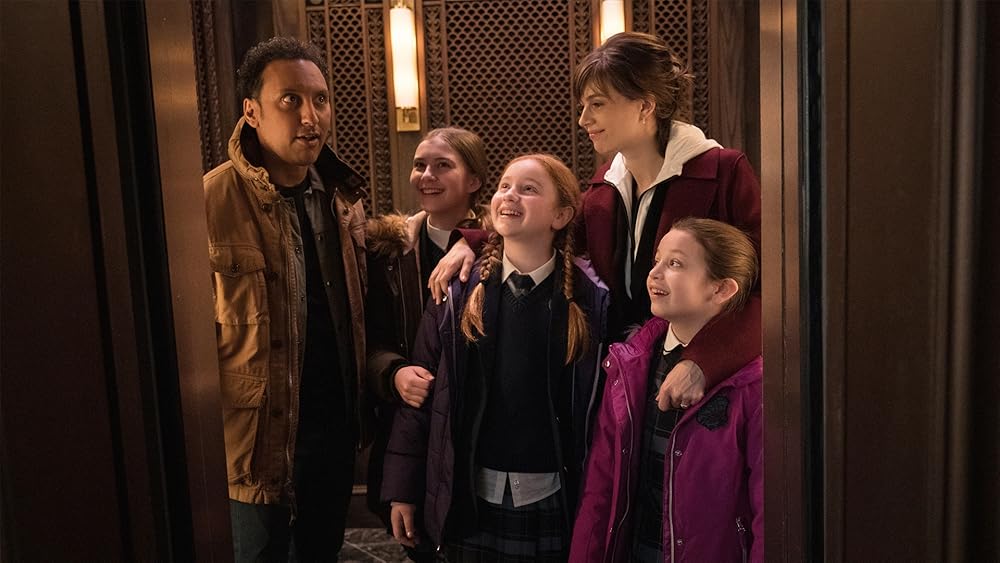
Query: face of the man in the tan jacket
x,y
292,117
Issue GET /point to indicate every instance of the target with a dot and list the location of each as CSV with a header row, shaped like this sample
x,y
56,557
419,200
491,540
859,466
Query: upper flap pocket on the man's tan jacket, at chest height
x,y
239,285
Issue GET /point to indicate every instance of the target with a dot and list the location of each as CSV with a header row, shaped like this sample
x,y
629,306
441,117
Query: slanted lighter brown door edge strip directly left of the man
x,y
185,231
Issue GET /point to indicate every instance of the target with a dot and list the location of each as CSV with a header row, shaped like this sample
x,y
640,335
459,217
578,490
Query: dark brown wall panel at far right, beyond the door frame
x,y
909,422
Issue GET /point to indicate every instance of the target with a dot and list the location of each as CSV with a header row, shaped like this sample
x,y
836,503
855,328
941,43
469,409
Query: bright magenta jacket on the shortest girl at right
x,y
713,482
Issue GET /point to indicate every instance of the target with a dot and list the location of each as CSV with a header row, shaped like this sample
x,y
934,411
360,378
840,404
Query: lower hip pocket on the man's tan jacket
x,y
243,399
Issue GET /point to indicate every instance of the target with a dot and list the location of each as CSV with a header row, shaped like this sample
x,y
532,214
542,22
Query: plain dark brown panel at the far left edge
x,y
58,450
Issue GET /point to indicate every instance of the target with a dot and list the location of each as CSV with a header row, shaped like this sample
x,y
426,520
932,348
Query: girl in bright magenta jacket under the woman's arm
x,y
682,484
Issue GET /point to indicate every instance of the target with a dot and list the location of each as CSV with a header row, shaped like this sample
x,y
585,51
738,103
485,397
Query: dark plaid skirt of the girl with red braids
x,y
534,532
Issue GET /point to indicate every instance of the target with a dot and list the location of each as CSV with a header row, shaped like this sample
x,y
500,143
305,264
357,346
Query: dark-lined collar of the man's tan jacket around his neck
x,y
329,172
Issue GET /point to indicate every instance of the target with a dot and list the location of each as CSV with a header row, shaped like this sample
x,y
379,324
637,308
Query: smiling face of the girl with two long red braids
x,y
526,203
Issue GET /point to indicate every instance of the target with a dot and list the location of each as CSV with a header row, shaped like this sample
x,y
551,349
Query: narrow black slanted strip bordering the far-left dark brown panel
x,y
140,452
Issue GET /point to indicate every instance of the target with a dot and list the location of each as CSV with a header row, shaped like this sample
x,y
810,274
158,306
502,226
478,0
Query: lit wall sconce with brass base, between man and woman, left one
x,y
406,87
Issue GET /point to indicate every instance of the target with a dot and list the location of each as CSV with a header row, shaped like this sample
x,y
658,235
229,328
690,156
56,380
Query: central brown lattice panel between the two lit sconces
x,y
508,74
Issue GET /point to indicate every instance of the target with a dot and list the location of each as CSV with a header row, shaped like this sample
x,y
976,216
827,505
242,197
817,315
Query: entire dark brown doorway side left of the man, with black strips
x,y
110,425
